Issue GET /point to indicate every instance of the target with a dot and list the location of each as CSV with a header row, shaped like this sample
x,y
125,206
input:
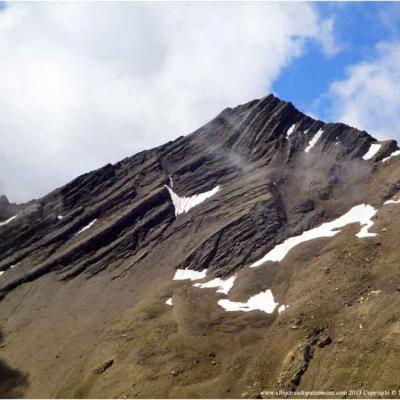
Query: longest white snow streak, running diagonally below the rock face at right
x,y
361,214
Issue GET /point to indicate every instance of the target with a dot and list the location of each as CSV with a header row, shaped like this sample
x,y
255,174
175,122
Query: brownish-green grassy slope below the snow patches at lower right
x,y
195,349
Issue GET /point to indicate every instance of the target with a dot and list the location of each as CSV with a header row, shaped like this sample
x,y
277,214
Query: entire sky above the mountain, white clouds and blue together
x,y
87,83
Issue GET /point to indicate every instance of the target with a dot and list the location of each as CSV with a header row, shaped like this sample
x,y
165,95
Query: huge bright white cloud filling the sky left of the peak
x,y
83,84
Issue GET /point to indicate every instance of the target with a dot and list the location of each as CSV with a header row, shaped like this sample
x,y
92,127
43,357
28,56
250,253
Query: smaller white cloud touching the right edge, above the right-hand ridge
x,y
368,98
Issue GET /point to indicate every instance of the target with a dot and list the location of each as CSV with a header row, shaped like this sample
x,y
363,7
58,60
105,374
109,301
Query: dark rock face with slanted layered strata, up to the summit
x,y
269,185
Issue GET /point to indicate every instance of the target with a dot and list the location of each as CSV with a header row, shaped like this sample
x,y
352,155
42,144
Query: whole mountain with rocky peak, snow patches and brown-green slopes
x,y
258,253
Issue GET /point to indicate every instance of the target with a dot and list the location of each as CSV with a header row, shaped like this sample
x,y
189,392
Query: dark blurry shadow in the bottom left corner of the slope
x,y
12,382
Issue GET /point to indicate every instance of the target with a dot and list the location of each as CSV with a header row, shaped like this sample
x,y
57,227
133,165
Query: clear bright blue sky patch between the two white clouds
x,y
358,28
